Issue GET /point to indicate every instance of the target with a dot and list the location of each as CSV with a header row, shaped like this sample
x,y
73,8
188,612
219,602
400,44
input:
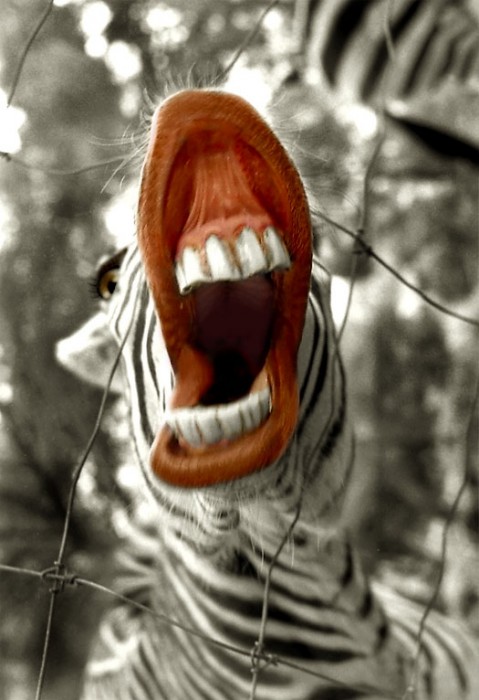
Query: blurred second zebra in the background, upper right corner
x,y
415,60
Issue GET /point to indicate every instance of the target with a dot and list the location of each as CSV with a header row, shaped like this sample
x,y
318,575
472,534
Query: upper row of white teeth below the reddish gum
x,y
248,254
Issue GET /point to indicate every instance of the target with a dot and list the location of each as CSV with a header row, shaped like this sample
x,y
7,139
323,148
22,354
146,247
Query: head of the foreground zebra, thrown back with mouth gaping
x,y
223,317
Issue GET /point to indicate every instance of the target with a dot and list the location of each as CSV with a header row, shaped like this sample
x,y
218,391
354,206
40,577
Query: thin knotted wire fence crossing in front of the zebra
x,y
60,578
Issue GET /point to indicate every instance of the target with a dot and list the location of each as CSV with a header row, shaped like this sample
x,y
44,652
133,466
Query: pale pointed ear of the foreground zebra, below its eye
x,y
90,352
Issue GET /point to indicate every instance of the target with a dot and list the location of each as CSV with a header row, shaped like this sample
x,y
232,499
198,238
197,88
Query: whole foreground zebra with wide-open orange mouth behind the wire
x,y
242,435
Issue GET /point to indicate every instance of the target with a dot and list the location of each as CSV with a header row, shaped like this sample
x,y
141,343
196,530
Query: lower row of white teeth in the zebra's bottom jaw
x,y
207,425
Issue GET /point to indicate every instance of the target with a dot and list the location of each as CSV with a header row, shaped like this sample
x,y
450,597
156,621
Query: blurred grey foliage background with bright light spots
x,y
88,79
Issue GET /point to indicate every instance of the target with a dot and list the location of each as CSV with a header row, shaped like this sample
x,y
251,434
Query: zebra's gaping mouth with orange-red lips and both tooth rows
x,y
225,235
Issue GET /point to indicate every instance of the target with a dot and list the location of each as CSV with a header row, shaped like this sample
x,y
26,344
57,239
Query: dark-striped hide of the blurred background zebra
x,y
434,41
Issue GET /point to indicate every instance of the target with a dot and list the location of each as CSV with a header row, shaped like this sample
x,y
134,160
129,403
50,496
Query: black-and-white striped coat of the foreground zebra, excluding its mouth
x,y
204,558
